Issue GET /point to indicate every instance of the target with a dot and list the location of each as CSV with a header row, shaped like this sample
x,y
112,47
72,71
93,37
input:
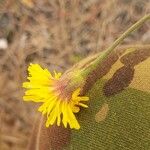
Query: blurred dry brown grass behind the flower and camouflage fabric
x,y
56,34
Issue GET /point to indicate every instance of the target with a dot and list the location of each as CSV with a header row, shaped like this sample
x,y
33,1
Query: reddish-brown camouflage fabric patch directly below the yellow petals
x,y
54,137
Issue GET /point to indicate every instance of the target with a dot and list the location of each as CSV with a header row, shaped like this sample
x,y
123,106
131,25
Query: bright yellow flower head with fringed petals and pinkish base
x,y
59,102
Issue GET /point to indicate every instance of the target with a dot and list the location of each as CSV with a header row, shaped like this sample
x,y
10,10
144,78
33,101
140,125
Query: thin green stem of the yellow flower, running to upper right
x,y
110,49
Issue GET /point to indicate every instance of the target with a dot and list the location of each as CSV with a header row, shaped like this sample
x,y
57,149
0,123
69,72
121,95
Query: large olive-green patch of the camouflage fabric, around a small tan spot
x,y
126,126
